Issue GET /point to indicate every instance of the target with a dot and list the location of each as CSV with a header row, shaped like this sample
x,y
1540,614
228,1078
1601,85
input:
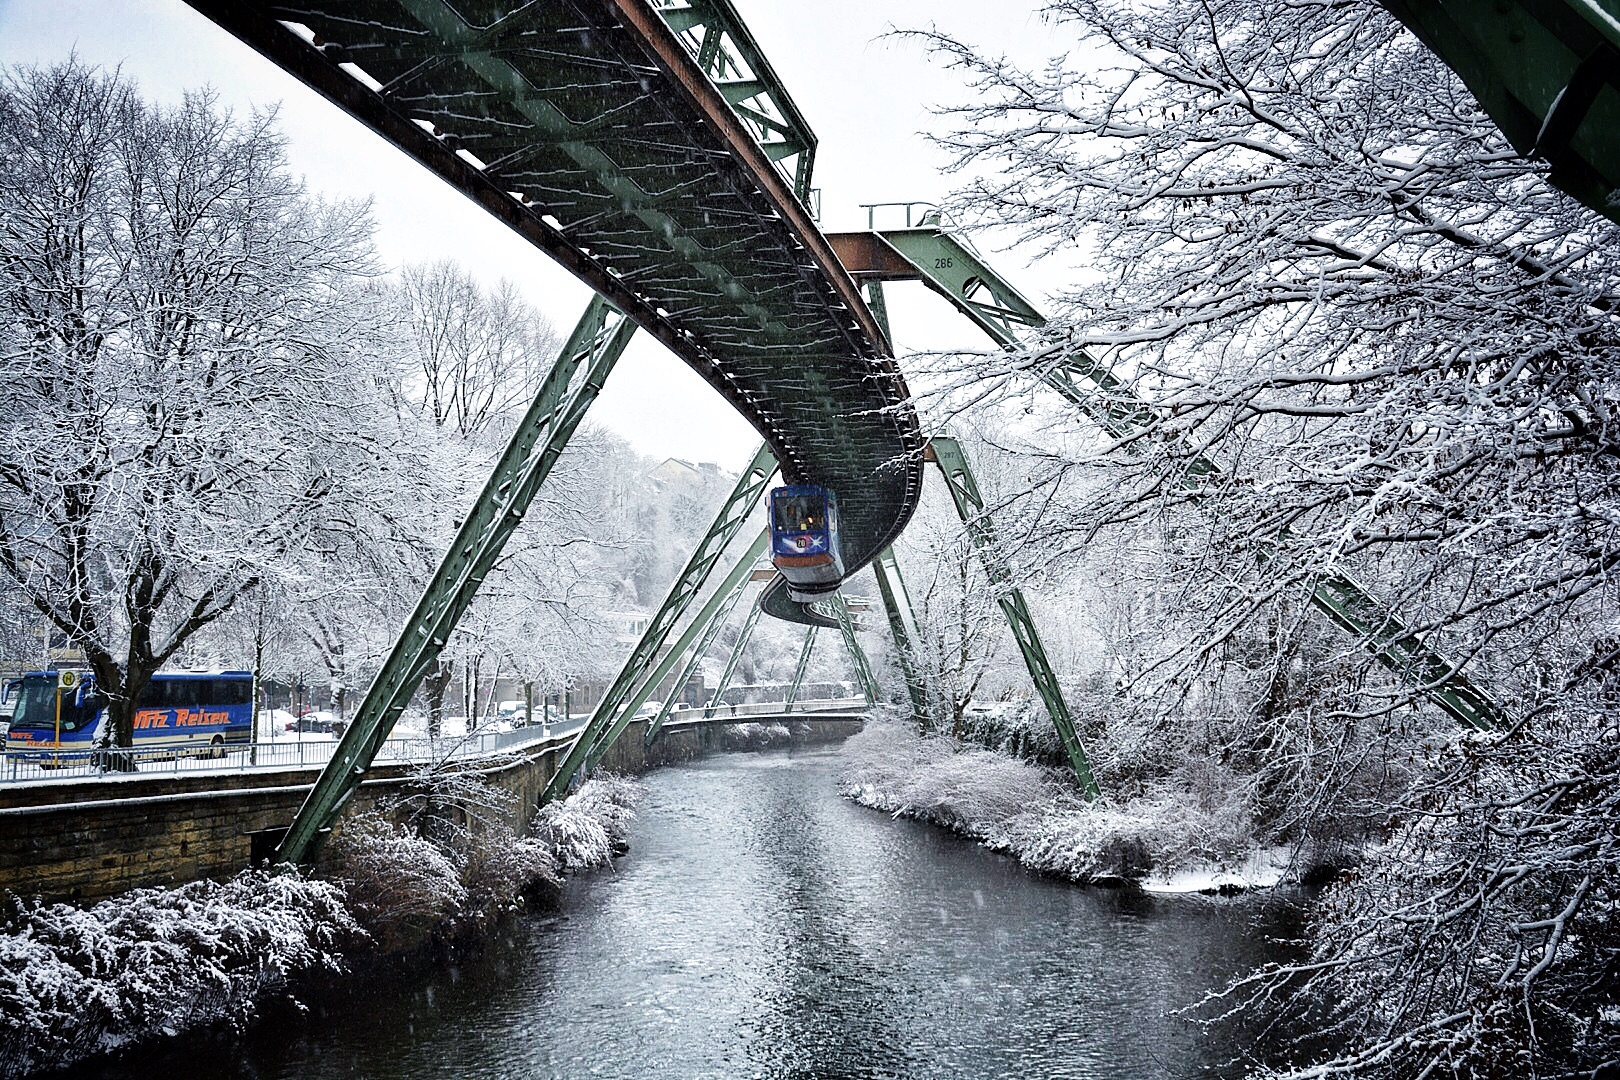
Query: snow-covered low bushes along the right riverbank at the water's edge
x,y
1033,814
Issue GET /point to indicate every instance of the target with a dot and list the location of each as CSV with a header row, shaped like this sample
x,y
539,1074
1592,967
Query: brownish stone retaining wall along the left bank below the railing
x,y
88,840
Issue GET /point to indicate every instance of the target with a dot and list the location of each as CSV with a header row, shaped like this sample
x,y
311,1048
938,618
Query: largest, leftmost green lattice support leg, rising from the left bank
x,y
568,393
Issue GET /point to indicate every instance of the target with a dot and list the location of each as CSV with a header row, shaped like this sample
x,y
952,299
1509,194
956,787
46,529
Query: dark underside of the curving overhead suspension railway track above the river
x,y
594,130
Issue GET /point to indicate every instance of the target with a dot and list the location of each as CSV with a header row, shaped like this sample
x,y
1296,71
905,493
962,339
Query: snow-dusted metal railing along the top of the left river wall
x,y
304,752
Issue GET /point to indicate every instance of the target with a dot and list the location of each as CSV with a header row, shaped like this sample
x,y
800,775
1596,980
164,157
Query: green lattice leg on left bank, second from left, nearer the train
x,y
733,514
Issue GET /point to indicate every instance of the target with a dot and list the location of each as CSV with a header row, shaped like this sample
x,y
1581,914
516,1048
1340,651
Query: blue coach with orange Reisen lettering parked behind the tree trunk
x,y
61,716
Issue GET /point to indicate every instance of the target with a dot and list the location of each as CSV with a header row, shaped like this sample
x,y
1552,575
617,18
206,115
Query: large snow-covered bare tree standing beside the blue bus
x,y
179,378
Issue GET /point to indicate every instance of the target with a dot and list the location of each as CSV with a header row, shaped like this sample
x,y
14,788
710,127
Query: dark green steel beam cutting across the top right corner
x,y
1550,75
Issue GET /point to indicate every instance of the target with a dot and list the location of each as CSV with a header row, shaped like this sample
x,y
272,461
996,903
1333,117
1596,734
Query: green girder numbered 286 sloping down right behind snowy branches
x,y
953,271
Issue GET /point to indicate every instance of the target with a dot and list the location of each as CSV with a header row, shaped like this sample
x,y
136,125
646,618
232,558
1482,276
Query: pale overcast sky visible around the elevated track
x,y
866,96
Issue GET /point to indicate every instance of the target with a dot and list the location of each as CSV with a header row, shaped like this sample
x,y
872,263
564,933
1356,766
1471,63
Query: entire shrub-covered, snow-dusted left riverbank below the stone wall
x,y
156,964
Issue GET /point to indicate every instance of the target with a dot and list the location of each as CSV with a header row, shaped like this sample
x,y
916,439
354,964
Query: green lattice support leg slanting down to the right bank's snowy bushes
x,y
971,506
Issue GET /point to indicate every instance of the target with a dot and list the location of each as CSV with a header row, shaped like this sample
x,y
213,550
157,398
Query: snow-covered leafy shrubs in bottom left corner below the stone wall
x,y
80,982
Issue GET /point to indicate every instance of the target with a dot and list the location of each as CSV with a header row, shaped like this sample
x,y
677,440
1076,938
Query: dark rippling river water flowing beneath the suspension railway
x,y
764,927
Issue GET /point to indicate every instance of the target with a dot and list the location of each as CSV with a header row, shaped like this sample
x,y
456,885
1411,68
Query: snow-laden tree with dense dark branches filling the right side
x,y
1315,252
